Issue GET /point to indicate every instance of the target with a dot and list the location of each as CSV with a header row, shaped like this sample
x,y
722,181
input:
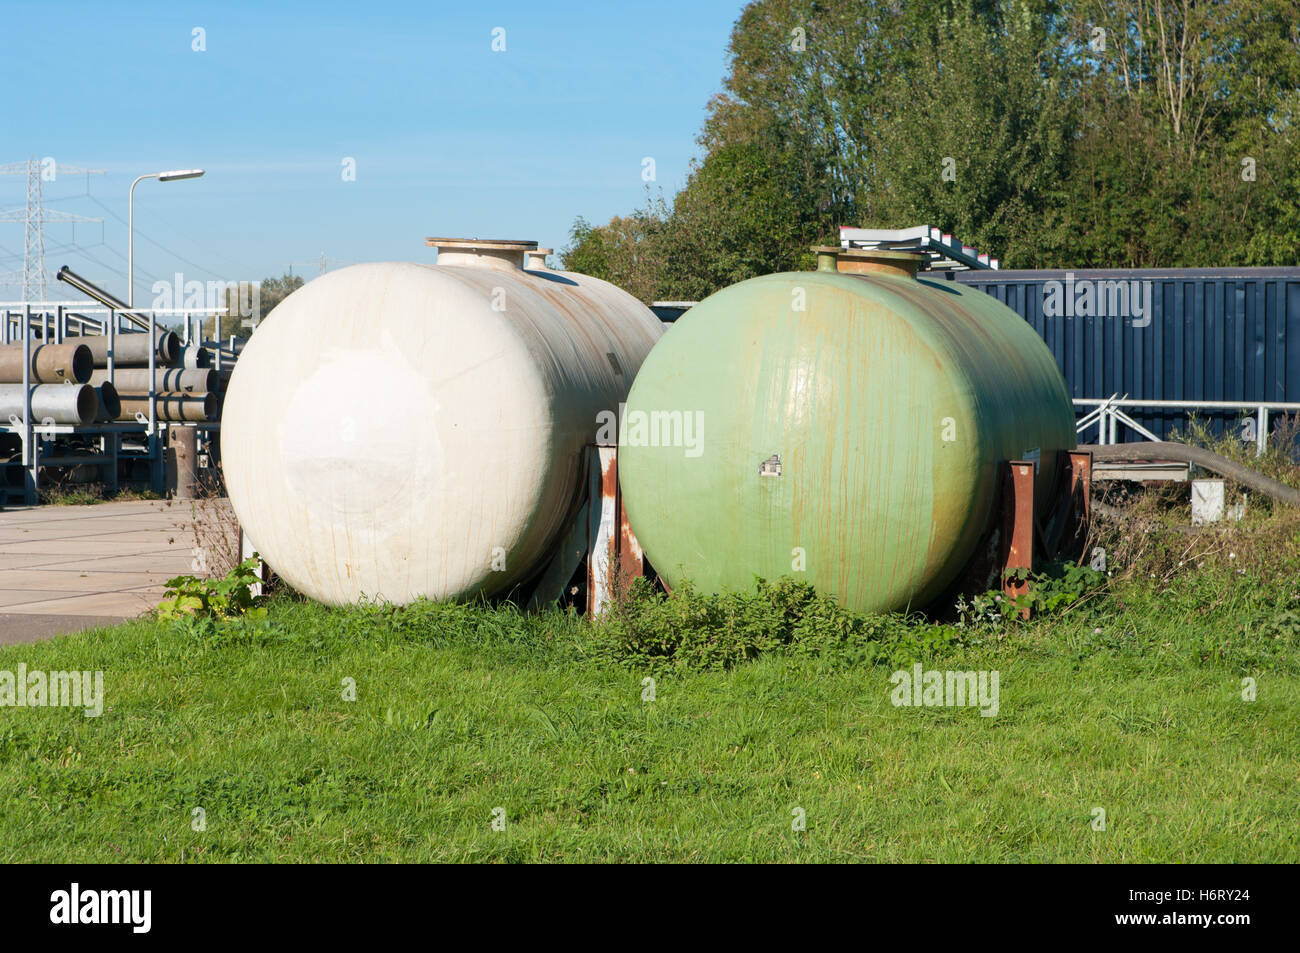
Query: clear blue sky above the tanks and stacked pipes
x,y
449,137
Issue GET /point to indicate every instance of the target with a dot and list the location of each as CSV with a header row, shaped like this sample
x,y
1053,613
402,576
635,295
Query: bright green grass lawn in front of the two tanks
x,y
1130,703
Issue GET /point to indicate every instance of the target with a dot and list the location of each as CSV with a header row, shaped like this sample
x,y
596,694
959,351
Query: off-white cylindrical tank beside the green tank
x,y
395,431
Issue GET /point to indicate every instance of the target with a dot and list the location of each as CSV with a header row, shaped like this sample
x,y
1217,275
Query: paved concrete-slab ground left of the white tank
x,y
66,569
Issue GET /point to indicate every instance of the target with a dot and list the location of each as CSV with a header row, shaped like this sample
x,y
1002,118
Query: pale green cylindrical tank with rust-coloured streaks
x,y
843,427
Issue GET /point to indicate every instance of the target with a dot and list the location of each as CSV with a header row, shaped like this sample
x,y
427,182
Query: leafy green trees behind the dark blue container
x,y
1078,135
